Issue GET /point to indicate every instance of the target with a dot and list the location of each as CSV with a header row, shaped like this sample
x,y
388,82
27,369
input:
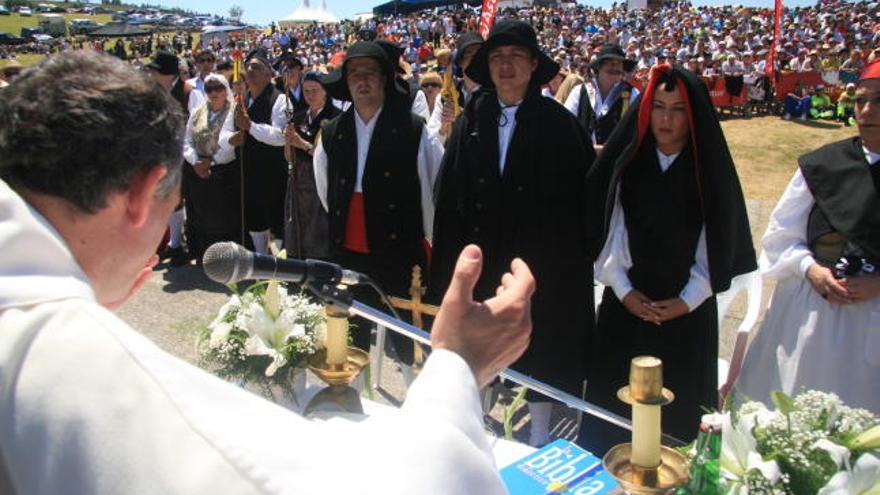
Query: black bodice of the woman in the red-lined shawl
x,y
663,221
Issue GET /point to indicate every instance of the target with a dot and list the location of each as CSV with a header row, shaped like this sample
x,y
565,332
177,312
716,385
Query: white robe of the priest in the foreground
x,y
89,406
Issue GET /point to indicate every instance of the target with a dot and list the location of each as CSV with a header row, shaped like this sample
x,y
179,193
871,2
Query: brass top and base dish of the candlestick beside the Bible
x,y
646,388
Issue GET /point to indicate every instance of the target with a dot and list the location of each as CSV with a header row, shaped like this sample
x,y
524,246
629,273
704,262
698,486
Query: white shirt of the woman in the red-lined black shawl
x,y
615,259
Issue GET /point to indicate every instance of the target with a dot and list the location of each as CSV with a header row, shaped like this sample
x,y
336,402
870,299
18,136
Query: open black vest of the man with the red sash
x,y
391,187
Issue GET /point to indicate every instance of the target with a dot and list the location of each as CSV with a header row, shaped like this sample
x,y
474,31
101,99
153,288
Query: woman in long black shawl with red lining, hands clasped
x,y
674,233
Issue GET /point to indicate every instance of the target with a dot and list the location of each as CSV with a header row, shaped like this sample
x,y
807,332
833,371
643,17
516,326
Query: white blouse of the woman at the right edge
x,y
786,250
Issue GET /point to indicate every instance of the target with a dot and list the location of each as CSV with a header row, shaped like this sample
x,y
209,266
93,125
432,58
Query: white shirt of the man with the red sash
x,y
430,155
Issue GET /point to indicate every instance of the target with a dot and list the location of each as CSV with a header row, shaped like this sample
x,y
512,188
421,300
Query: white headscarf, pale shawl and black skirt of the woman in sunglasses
x,y
212,205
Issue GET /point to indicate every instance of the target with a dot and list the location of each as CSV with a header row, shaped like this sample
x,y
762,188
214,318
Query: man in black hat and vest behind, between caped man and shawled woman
x,y
603,99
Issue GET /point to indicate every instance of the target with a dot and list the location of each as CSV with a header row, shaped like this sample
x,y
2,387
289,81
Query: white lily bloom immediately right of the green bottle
x,y
738,450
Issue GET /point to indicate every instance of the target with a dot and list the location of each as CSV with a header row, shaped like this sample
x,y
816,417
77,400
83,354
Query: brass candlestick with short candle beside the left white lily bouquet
x,y
338,395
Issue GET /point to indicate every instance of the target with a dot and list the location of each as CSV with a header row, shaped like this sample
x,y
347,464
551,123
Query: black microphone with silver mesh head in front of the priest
x,y
228,262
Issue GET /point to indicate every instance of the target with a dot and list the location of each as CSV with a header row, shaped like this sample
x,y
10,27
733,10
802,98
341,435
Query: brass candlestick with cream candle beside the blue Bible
x,y
625,461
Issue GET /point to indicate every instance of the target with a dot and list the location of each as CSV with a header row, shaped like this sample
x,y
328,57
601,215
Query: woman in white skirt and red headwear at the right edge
x,y
822,247
